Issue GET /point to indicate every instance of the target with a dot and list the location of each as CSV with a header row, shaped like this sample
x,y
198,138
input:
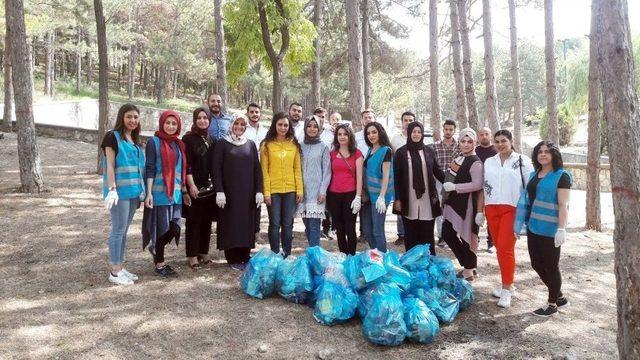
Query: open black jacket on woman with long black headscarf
x,y
401,179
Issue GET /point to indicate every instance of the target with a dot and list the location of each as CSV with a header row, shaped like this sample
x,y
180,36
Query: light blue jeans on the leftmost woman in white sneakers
x,y
121,216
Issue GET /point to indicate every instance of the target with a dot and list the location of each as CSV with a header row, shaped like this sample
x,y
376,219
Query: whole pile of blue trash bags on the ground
x,y
398,298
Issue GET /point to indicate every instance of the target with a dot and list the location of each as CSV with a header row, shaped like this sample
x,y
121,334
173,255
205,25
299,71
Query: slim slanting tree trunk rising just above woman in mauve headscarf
x,y
469,88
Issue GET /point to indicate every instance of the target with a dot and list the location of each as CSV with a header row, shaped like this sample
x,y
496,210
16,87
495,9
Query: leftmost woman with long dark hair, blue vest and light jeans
x,y
122,185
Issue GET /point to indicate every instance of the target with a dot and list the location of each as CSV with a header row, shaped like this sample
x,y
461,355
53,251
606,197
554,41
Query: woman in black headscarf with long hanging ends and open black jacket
x,y
416,169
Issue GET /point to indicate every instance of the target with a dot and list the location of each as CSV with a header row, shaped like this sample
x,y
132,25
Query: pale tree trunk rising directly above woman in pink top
x,y
356,75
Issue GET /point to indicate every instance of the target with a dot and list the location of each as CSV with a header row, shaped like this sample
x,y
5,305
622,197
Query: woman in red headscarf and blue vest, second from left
x,y
165,171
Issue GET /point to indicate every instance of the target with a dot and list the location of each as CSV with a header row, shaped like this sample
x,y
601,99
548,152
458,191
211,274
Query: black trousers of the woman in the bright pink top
x,y
344,220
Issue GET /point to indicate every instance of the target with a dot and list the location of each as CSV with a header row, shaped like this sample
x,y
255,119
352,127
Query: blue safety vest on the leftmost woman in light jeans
x,y
129,168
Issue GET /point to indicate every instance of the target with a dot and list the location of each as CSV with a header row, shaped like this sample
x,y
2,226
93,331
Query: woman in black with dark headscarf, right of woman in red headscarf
x,y
199,147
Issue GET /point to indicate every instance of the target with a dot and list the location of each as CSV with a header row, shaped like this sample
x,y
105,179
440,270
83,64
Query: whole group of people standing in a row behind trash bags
x,y
224,168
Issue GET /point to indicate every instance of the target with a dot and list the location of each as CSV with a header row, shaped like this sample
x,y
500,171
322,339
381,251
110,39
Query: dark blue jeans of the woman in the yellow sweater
x,y
281,212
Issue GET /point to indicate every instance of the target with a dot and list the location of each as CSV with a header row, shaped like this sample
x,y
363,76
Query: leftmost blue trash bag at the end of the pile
x,y
259,278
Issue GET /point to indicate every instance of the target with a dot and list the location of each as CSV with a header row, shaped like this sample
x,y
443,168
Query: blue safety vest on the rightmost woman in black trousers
x,y
541,217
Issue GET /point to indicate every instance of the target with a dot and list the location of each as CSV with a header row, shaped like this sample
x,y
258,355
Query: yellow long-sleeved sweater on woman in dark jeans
x,y
281,168
